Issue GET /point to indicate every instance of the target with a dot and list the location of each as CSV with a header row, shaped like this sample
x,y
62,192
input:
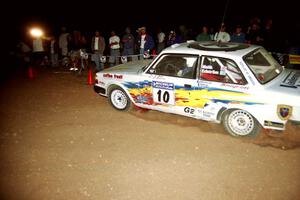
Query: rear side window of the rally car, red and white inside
x,y
221,70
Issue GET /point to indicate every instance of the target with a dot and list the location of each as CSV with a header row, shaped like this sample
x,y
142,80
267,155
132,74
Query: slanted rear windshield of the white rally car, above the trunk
x,y
263,65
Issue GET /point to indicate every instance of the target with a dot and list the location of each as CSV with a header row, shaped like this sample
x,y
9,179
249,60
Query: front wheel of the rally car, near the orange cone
x,y
119,99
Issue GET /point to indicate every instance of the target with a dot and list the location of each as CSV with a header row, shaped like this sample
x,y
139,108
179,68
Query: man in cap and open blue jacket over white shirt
x,y
145,42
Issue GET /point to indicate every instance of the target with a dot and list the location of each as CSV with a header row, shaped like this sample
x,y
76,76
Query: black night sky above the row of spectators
x,y
116,15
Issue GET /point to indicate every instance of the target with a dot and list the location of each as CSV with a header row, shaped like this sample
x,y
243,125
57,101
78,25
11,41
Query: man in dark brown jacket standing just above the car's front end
x,y
98,46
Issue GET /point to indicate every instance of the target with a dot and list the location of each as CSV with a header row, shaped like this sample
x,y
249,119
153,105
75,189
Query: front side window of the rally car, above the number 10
x,y
182,66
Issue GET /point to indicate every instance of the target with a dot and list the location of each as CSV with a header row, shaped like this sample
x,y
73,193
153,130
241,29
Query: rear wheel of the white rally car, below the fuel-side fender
x,y
240,123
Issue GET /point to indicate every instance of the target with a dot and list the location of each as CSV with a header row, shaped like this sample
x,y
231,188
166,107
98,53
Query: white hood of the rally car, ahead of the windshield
x,y
128,68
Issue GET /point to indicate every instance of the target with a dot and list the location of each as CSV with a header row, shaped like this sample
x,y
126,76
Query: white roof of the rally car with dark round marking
x,y
211,48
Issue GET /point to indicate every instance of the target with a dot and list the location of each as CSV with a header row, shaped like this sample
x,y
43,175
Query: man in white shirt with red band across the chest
x,y
114,44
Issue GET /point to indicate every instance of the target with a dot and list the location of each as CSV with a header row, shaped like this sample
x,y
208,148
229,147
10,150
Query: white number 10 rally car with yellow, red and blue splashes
x,y
240,85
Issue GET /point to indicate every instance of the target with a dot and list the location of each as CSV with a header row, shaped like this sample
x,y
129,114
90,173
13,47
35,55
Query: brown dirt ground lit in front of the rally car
x,y
60,140
